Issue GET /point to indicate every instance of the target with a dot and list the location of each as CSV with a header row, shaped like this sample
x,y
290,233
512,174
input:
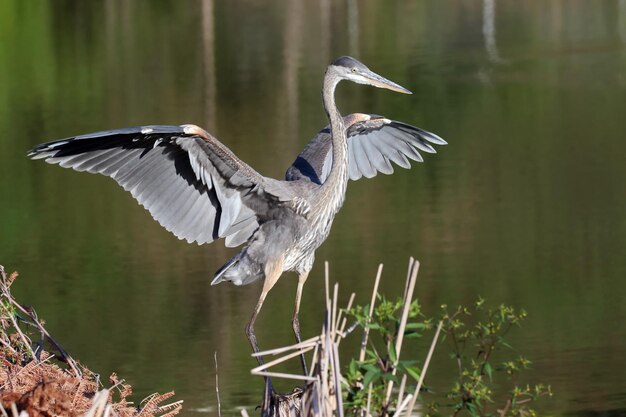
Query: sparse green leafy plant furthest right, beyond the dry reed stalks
x,y
473,346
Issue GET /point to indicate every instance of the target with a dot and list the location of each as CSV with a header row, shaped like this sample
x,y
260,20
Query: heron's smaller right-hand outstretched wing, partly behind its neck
x,y
373,143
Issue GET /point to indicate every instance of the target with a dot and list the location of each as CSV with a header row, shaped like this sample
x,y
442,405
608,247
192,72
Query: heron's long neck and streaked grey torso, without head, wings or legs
x,y
299,226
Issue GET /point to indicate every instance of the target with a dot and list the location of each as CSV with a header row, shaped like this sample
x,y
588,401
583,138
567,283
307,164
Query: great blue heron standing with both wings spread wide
x,y
196,188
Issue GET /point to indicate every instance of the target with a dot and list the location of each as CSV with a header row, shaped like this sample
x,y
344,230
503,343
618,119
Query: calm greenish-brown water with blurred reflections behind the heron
x,y
526,206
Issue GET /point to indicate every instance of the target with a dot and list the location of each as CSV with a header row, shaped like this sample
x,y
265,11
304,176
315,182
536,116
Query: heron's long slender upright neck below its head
x,y
337,179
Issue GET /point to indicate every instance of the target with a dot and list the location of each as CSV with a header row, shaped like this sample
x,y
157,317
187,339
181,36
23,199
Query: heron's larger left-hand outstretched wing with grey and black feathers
x,y
193,185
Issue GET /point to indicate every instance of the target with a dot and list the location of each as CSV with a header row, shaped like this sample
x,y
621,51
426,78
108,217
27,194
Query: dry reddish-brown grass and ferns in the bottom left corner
x,y
38,383
